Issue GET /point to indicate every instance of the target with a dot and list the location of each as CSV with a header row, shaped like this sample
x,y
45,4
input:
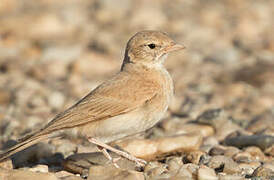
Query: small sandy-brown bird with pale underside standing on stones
x,y
130,102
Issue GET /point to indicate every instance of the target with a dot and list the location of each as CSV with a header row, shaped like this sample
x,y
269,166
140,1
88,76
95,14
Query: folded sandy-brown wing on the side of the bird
x,y
119,95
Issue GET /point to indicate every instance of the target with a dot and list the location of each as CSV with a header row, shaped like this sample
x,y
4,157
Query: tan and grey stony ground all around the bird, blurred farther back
x,y
220,124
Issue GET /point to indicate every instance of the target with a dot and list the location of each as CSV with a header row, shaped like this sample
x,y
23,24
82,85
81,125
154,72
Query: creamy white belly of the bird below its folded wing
x,y
121,126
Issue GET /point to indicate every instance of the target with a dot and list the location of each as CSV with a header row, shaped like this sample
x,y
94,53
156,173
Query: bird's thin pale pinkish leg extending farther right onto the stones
x,y
139,162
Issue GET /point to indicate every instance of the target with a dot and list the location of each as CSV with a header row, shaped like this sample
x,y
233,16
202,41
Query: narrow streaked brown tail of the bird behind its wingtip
x,y
26,142
